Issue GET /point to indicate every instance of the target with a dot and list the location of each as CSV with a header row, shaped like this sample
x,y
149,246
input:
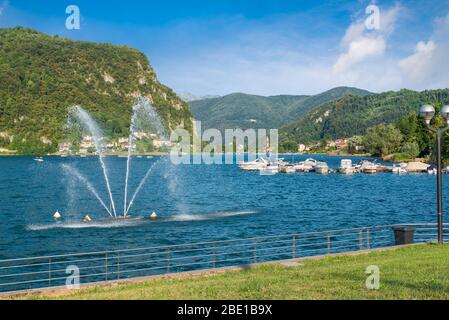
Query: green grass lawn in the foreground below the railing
x,y
414,272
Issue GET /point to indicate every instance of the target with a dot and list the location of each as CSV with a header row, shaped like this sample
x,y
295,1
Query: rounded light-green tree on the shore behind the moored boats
x,y
382,140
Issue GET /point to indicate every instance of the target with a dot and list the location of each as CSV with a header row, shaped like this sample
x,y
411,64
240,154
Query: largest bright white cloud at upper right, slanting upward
x,y
361,44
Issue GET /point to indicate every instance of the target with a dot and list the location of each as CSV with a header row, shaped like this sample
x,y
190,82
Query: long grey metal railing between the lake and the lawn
x,y
51,271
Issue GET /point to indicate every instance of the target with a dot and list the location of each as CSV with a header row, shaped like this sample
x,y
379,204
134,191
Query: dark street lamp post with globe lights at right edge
x,y
427,112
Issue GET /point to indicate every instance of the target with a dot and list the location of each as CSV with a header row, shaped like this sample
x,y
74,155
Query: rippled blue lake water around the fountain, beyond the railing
x,y
194,203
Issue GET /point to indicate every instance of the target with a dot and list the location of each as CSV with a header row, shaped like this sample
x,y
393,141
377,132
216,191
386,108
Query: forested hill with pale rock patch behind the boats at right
x,y
352,115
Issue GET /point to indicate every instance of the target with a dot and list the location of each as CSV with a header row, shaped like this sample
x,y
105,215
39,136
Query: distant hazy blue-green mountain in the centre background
x,y
244,111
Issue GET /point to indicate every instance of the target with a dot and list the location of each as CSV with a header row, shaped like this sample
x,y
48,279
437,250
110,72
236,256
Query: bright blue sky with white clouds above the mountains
x,y
263,47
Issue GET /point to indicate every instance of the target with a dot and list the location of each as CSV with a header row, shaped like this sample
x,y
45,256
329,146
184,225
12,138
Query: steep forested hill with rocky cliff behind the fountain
x,y
41,76
